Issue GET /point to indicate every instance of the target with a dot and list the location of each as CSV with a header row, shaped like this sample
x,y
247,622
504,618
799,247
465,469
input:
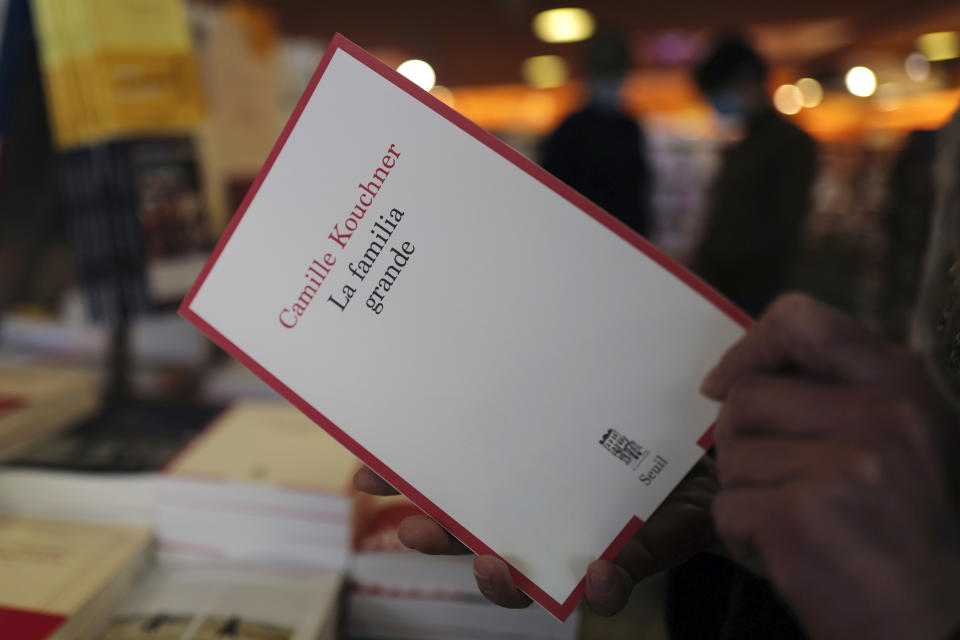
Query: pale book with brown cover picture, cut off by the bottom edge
x,y
187,602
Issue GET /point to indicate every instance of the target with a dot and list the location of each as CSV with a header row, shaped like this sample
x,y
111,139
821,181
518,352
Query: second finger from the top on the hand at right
x,y
789,406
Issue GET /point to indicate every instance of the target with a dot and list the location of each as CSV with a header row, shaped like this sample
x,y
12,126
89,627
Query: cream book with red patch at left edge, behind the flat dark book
x,y
37,401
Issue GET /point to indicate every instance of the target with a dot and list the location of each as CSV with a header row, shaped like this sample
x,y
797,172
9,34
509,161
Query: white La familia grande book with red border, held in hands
x,y
513,359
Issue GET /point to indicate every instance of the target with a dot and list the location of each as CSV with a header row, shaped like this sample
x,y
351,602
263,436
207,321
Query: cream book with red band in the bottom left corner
x,y
60,579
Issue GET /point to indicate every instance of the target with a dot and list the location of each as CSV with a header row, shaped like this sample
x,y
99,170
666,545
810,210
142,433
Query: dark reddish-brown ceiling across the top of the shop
x,y
480,42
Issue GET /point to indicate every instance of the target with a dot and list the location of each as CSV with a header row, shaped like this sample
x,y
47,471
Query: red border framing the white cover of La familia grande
x,y
560,610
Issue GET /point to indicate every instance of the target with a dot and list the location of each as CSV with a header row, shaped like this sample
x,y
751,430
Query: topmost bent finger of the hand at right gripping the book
x,y
800,333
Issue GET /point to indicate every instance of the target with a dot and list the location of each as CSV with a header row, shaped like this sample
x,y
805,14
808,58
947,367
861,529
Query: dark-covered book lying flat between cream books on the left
x,y
122,440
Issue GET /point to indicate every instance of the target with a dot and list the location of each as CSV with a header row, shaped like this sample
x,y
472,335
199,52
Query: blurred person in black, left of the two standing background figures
x,y
600,149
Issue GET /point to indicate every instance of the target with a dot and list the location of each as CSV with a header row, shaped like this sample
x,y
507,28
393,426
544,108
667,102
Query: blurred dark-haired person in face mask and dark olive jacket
x,y
761,194
